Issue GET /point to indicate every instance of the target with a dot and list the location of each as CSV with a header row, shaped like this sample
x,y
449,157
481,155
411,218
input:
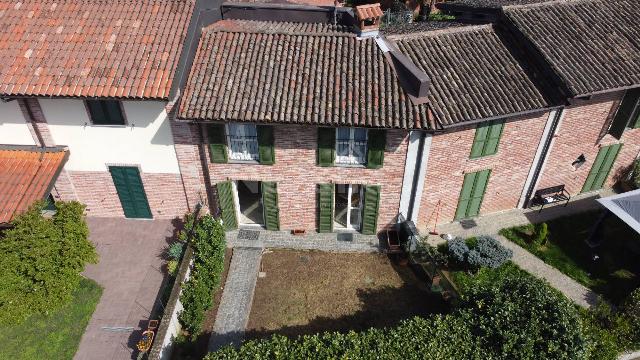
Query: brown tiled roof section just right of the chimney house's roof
x,y
473,74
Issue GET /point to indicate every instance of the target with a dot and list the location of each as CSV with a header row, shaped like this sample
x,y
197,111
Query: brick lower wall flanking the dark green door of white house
x,y
97,191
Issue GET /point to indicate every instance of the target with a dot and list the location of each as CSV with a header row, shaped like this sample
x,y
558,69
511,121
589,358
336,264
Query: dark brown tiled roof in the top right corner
x,y
592,45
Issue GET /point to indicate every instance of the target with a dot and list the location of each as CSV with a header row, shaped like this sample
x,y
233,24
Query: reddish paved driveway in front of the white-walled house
x,y
130,272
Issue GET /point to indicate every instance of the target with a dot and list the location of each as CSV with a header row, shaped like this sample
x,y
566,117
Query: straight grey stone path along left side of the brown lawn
x,y
237,297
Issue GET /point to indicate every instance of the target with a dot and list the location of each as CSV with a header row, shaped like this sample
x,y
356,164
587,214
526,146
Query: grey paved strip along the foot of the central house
x,y
342,242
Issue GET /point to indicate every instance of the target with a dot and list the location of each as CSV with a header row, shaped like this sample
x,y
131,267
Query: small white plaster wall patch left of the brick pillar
x,y
13,127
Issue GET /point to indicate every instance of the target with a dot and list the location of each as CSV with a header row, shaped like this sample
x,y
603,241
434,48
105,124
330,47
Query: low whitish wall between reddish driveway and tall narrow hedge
x,y
169,326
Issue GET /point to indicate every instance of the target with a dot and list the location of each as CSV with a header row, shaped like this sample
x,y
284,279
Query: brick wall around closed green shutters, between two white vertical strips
x,y
449,161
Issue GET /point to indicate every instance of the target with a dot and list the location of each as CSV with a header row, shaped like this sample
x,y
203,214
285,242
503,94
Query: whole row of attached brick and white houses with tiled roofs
x,y
318,125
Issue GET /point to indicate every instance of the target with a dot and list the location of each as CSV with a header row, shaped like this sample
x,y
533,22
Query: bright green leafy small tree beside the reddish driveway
x,y
42,260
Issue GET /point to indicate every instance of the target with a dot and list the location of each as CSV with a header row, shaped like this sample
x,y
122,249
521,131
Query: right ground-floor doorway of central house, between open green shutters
x,y
348,207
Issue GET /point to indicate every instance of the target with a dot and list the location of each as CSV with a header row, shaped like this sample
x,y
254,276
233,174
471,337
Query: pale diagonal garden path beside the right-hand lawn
x,y
575,291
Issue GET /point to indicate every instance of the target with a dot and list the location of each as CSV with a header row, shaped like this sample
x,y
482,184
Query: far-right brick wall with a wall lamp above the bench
x,y
583,131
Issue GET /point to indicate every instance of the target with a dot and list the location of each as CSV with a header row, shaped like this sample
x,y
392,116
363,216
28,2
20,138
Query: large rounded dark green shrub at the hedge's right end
x,y
521,317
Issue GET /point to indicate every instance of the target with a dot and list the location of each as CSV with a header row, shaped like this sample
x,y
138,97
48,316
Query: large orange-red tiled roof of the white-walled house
x,y
91,48
